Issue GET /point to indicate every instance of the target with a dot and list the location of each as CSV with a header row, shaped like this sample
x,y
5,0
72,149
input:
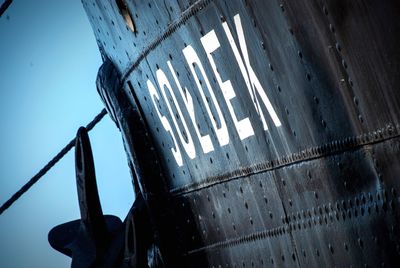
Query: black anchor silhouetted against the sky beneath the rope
x,y
88,239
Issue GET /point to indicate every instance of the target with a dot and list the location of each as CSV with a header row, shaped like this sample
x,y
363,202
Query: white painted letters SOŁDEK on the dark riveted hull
x,y
179,127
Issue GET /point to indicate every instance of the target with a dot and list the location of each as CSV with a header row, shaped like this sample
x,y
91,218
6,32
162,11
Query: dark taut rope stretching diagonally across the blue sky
x,y
49,165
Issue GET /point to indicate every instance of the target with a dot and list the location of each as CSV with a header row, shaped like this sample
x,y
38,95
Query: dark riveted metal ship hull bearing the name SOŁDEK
x,y
319,188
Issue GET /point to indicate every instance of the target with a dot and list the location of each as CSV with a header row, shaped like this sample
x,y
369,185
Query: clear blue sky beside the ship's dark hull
x,y
48,65
